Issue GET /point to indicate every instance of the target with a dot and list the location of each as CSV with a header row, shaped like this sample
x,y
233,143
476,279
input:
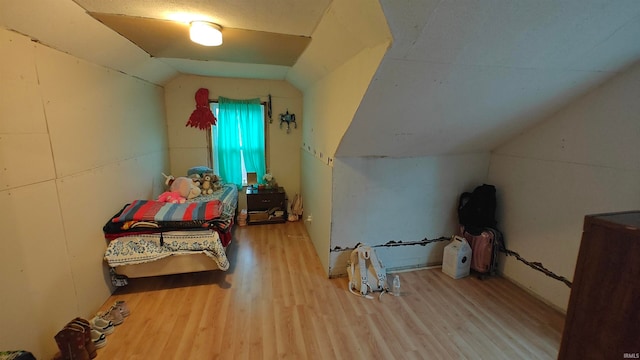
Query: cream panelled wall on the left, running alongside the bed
x,y
77,141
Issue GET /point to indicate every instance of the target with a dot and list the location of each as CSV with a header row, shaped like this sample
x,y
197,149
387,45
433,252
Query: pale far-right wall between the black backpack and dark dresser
x,y
583,160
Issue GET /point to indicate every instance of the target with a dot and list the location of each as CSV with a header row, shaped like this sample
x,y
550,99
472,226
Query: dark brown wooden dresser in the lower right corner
x,y
603,316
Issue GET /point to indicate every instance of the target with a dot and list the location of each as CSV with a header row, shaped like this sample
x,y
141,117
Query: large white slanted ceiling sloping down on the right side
x,y
466,75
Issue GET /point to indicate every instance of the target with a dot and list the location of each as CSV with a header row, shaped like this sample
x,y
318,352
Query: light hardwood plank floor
x,y
275,302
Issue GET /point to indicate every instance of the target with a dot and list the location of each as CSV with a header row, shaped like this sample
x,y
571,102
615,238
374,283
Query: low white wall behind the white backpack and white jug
x,y
378,200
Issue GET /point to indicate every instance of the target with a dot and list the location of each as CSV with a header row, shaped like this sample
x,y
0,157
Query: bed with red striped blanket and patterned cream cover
x,y
151,238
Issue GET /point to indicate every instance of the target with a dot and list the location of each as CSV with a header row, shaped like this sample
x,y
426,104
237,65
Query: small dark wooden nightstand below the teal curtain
x,y
266,206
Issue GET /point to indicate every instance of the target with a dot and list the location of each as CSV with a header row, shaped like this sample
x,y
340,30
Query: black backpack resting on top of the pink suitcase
x,y
477,209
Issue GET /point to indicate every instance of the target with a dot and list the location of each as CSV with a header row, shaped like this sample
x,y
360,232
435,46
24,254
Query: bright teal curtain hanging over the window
x,y
240,137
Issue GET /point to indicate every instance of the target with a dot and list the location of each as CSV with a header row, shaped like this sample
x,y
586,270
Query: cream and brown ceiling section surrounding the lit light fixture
x,y
255,32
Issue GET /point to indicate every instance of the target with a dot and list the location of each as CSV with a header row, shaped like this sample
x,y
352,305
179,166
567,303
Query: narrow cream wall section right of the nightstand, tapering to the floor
x,y
329,105
